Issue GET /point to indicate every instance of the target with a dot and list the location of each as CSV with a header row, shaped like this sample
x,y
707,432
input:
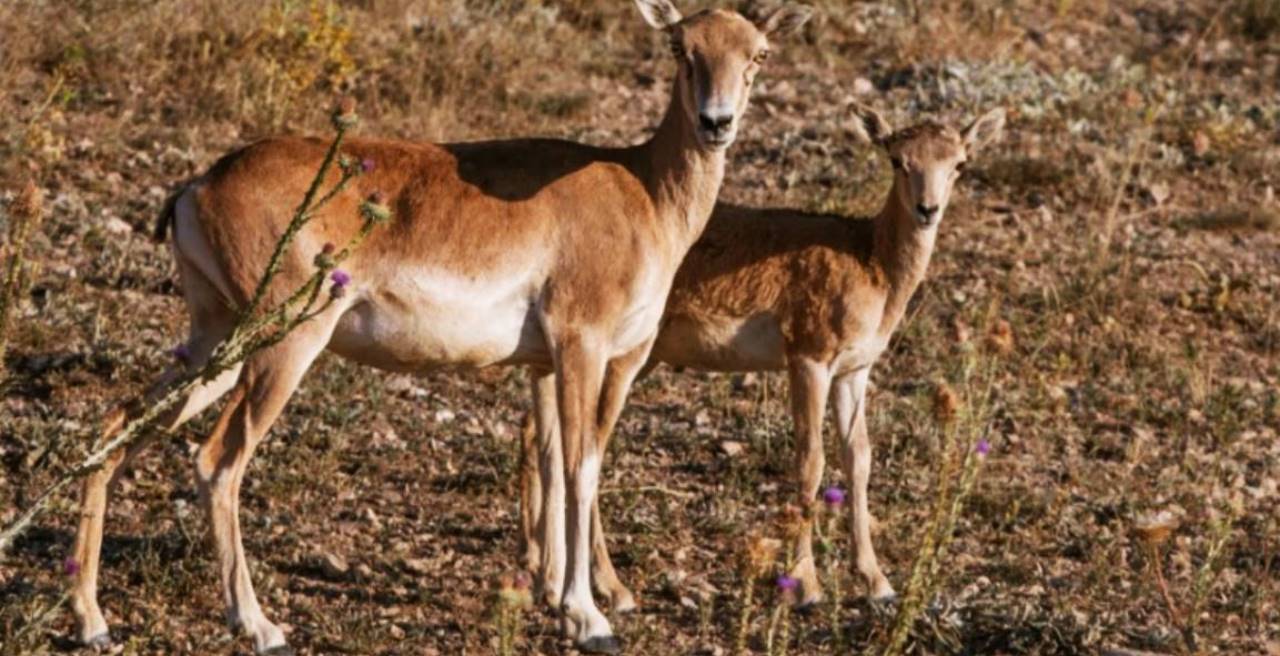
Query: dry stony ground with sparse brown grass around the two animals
x,y
1117,259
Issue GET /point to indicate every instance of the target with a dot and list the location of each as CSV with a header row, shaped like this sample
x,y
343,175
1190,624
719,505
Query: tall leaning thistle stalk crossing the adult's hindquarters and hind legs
x,y
259,326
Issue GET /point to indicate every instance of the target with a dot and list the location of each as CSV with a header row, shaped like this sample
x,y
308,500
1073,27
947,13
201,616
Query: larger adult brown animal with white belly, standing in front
x,y
540,253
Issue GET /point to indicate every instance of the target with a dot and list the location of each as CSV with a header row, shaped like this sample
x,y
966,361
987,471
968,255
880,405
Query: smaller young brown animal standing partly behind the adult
x,y
815,295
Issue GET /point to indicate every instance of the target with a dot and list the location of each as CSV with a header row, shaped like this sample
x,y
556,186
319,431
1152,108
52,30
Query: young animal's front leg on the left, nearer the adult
x,y
810,385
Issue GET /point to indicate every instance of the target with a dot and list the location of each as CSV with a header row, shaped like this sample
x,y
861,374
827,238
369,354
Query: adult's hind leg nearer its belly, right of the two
x,y
266,386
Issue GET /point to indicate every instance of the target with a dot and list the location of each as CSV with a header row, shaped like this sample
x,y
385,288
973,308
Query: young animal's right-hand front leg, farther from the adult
x,y
856,455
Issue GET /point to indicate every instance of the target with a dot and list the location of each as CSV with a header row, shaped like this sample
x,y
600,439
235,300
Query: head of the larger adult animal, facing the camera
x,y
719,54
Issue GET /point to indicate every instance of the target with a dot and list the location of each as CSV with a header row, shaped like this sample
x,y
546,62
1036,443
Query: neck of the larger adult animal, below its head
x,y
683,179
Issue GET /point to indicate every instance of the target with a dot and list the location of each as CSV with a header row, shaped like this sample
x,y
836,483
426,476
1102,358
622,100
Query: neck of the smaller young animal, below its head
x,y
903,252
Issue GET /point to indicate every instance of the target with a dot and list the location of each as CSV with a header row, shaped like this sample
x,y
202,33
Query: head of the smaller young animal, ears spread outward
x,y
927,158
